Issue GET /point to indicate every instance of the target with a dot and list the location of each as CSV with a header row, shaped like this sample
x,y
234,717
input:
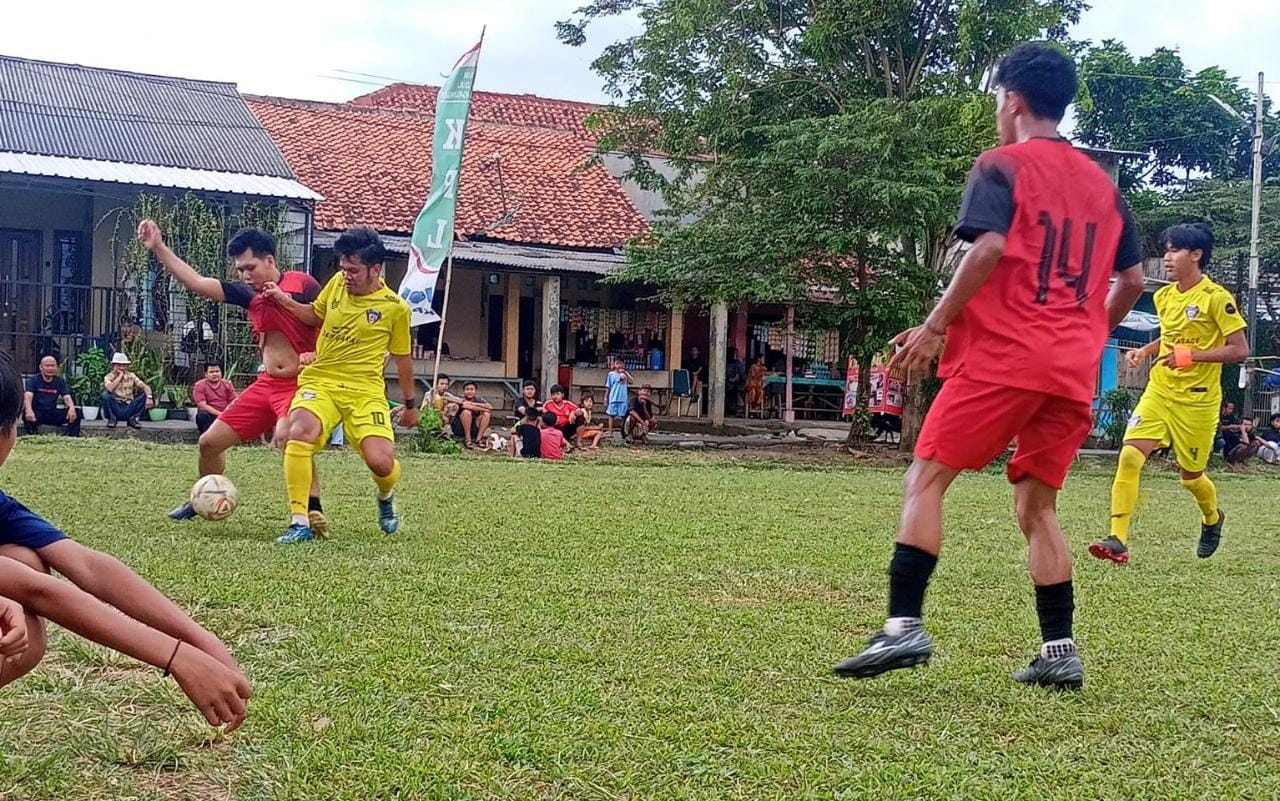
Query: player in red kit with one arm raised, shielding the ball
x,y
281,338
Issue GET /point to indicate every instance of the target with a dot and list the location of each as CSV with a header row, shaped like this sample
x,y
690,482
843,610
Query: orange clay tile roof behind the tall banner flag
x,y
373,168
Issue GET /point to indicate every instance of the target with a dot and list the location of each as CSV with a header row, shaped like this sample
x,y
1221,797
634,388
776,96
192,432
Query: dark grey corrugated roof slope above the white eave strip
x,y
111,116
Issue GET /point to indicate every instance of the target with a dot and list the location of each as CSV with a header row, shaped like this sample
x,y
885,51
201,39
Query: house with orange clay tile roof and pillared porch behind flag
x,y
541,222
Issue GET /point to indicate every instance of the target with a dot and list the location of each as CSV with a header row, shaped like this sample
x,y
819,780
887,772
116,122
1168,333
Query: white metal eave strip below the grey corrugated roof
x,y
152,176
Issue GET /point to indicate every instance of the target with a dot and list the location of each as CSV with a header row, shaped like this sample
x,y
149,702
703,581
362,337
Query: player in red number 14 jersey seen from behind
x,y
1025,319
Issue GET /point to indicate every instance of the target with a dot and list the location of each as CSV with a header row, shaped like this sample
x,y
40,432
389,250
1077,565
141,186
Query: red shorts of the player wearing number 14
x,y
972,423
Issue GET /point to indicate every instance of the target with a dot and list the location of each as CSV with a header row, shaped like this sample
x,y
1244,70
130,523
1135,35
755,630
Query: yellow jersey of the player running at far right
x,y
1200,319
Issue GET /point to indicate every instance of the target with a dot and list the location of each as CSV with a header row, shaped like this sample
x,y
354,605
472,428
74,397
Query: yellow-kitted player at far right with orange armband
x,y
1201,329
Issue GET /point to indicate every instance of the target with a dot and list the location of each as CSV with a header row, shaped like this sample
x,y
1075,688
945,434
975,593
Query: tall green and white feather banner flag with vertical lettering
x,y
433,232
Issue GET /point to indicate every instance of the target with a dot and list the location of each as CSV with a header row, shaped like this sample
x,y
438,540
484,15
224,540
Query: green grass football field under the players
x,y
647,628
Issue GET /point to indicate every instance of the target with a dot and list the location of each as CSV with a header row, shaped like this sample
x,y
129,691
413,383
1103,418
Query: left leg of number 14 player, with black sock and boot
x,y
903,642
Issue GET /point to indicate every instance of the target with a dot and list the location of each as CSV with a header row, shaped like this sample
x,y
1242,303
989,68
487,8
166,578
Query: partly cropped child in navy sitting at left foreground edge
x,y
144,624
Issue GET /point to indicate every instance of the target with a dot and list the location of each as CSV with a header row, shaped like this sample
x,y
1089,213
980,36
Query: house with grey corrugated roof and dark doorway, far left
x,y
79,148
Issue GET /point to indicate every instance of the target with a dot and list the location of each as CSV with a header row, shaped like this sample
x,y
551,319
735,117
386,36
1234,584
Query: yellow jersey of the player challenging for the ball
x,y
358,333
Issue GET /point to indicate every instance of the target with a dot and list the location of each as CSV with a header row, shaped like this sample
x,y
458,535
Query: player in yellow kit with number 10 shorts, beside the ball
x,y
360,321
